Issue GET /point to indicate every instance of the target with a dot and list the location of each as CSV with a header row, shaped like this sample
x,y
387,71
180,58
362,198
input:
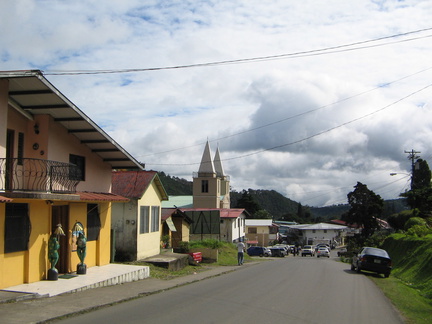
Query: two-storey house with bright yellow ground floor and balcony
x,y
55,169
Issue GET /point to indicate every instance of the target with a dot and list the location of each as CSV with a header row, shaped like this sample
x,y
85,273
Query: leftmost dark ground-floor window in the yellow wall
x,y
17,228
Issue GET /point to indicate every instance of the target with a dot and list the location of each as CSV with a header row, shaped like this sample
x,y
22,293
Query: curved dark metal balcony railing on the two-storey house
x,y
19,174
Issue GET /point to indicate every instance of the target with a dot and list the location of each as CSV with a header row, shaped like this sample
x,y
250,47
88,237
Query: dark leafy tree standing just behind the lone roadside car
x,y
366,207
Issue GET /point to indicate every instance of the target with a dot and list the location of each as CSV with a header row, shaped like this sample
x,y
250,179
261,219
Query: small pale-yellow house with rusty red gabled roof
x,y
137,223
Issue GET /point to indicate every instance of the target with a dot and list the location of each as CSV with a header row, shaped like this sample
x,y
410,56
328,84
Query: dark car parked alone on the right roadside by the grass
x,y
372,259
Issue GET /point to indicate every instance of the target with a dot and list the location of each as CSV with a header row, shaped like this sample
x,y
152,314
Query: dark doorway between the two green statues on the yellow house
x,y
60,215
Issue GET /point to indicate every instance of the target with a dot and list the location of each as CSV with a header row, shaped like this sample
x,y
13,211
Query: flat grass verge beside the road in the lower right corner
x,y
414,307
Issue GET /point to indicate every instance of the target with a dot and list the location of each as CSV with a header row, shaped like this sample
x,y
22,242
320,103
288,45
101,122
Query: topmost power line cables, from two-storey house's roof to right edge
x,y
323,51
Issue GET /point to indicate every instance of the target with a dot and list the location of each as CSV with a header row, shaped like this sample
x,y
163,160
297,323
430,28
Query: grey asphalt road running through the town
x,y
285,290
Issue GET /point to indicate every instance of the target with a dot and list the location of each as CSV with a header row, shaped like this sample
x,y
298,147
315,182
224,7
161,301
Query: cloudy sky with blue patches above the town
x,y
303,97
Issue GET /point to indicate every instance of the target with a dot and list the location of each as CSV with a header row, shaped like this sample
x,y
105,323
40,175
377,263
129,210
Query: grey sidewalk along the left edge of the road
x,y
30,308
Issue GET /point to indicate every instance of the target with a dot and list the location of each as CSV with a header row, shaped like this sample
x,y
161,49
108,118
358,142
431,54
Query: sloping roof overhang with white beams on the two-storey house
x,y
31,93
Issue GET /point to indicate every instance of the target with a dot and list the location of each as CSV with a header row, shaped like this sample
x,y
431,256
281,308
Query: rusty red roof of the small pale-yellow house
x,y
133,184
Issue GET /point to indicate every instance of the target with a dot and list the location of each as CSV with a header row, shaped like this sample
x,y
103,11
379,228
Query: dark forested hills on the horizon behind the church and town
x,y
279,206
